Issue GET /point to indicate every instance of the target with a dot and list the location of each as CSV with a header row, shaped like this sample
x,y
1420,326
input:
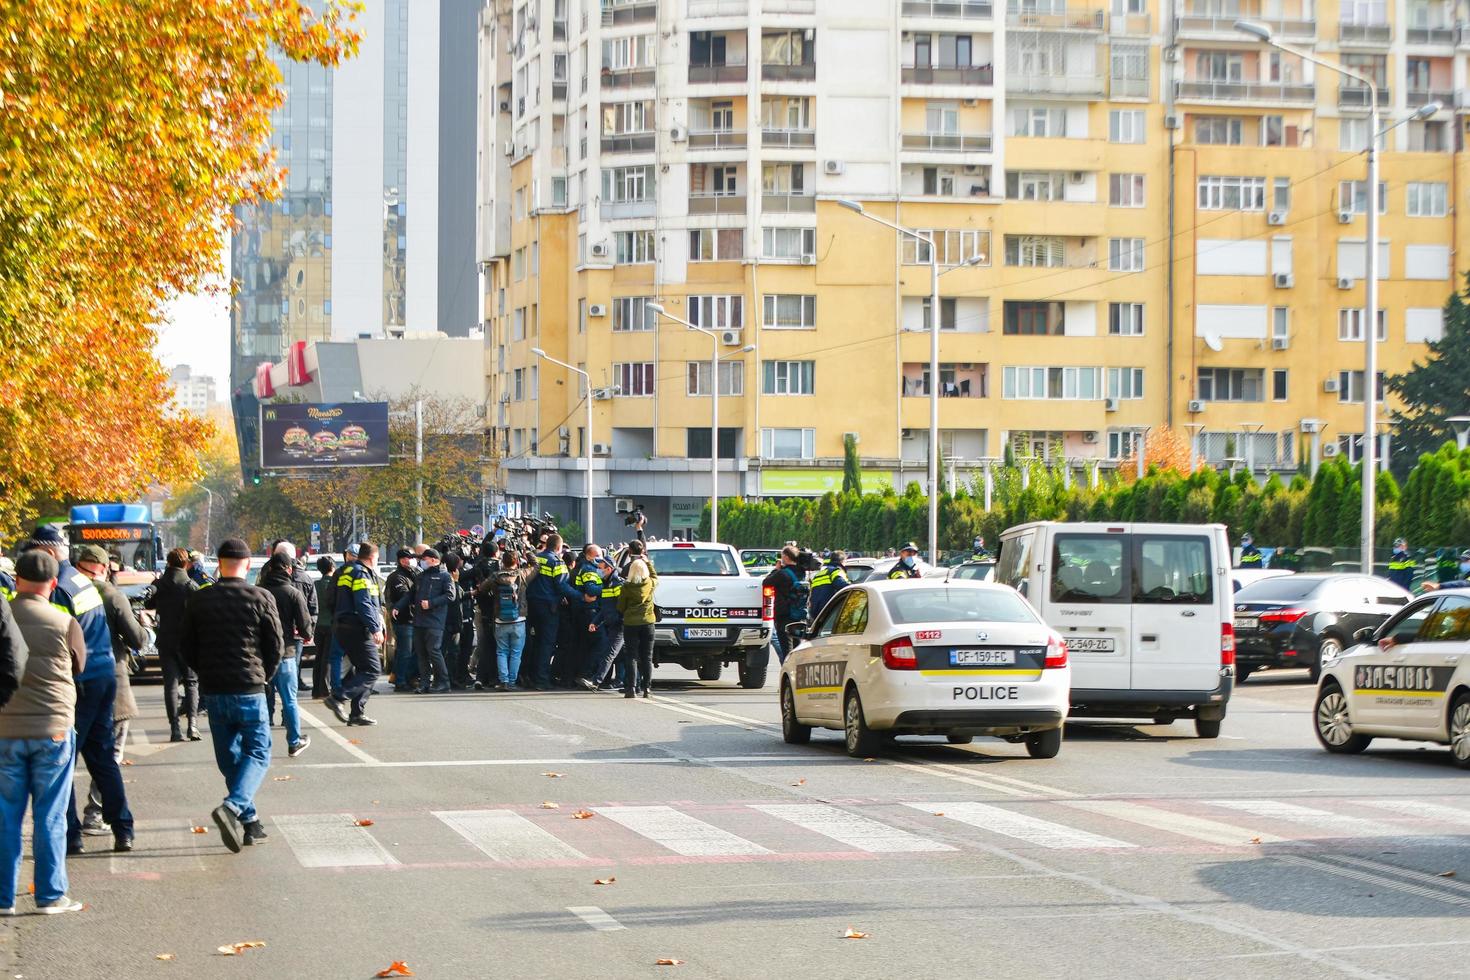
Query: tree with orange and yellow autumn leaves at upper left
x,y
129,131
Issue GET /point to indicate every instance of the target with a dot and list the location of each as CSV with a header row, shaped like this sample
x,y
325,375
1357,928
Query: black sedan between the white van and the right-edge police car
x,y
1303,619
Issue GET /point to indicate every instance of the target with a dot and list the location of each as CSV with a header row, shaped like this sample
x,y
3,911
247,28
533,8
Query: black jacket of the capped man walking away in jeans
x,y
232,638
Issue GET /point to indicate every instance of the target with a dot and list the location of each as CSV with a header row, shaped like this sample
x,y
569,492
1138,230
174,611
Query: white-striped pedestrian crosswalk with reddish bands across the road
x,y
534,837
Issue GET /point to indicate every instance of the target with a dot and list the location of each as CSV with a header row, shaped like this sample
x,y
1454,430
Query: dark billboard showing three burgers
x,y
315,436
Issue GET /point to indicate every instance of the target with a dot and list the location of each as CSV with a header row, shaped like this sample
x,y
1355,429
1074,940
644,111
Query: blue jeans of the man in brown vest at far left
x,y
39,771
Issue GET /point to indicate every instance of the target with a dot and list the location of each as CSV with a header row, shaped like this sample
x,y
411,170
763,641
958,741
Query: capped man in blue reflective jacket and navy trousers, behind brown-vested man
x,y
96,688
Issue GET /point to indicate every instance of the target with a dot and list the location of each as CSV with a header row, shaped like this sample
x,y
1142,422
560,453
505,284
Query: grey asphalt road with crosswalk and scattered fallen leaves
x,y
1140,851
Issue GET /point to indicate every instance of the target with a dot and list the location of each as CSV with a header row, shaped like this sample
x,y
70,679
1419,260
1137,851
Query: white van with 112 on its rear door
x,y
1146,610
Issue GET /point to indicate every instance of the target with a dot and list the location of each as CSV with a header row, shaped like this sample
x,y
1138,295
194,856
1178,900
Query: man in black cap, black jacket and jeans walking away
x,y
233,640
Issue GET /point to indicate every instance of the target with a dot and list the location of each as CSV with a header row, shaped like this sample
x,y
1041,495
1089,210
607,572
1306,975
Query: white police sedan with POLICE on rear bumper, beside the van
x,y
928,657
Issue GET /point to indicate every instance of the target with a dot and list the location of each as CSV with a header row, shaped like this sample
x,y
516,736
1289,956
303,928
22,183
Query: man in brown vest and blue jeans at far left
x,y
37,738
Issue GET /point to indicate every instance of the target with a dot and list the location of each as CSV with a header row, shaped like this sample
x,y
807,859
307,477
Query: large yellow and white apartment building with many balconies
x,y
1143,218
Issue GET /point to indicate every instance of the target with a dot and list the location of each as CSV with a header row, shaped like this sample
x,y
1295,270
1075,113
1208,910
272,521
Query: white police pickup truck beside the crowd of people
x,y
711,612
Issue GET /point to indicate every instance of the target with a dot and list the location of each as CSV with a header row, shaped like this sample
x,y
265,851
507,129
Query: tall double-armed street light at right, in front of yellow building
x,y
1263,35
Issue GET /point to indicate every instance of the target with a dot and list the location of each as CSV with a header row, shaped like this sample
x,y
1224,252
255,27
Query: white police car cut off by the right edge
x,y
1409,680
